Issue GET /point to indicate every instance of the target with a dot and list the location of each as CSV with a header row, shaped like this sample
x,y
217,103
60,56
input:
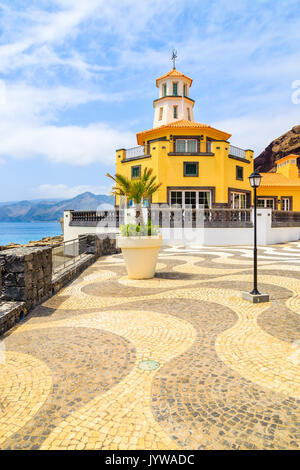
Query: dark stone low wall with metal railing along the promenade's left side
x,y
30,275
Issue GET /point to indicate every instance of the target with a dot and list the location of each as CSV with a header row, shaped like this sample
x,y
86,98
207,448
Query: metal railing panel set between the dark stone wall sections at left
x,y
68,253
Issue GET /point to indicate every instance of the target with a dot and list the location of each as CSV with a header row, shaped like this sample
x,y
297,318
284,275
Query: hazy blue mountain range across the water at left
x,y
50,210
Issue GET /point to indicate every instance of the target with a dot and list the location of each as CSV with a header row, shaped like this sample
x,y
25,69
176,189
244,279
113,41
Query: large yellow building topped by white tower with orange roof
x,y
194,162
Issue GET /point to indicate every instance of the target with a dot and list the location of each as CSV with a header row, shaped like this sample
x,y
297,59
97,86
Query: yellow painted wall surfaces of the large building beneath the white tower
x,y
217,171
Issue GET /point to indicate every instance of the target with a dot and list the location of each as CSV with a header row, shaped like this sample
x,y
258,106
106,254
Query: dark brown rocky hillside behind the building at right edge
x,y
278,148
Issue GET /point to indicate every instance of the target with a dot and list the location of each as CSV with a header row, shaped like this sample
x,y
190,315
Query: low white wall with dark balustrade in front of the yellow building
x,y
193,226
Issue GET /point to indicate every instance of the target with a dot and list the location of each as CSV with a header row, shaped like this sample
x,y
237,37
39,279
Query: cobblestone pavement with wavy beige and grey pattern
x,y
176,362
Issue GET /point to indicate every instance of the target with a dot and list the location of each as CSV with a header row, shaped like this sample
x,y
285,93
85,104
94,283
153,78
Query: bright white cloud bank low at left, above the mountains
x,y
28,127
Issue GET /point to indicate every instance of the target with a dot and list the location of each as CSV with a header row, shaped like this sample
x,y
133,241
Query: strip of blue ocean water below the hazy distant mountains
x,y
23,232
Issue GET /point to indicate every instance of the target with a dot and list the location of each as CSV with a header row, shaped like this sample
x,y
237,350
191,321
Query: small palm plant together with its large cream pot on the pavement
x,y
140,242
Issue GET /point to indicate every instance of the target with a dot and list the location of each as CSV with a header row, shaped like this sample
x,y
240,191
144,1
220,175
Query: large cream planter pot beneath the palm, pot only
x,y
140,255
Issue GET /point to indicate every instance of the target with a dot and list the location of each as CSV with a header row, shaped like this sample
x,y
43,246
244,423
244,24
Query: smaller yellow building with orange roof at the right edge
x,y
281,190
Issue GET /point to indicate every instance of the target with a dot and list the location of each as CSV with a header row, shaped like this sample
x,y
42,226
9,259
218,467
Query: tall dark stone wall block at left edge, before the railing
x,y
26,275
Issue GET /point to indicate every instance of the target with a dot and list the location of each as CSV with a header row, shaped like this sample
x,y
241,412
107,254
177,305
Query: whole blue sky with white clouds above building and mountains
x,y
78,80
